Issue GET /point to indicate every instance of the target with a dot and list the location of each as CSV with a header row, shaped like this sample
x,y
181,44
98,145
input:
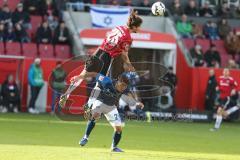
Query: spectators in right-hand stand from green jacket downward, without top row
x,y
210,31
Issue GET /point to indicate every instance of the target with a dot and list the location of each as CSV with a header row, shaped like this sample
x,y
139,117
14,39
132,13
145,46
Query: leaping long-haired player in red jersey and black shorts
x,y
116,43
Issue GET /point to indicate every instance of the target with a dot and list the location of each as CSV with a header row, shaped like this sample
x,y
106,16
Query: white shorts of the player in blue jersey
x,y
110,112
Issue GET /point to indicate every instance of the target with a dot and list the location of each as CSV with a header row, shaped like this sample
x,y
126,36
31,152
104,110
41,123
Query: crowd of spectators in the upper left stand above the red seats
x,y
15,25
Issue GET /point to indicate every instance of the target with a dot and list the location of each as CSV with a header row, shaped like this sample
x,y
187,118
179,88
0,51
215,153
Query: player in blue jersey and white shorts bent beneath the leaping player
x,y
106,103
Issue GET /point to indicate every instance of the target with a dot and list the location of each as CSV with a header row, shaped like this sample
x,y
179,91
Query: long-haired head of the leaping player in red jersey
x,y
134,22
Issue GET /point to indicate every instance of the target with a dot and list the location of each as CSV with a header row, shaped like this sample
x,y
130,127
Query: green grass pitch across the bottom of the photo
x,y
45,137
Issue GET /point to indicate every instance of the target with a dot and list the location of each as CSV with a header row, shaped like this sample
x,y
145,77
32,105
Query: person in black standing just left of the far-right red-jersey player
x,y
210,91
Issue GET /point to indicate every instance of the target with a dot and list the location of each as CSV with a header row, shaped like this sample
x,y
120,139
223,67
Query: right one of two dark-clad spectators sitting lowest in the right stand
x,y
212,57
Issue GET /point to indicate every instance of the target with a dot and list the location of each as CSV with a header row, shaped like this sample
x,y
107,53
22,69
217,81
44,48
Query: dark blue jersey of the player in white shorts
x,y
108,94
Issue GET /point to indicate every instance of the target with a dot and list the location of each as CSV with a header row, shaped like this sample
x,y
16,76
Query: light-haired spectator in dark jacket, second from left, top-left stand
x,y
22,17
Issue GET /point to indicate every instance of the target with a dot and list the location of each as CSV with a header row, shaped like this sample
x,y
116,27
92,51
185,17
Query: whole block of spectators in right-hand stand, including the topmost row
x,y
212,30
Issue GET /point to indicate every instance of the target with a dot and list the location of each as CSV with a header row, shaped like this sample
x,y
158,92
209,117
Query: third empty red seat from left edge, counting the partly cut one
x,y
30,50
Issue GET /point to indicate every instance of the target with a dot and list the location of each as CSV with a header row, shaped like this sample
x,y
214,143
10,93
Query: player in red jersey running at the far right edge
x,y
227,87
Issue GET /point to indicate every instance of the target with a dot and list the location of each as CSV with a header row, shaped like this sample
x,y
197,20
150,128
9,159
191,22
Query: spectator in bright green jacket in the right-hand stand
x,y
184,27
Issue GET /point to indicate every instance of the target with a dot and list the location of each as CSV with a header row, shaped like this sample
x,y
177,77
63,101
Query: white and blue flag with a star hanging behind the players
x,y
109,17
